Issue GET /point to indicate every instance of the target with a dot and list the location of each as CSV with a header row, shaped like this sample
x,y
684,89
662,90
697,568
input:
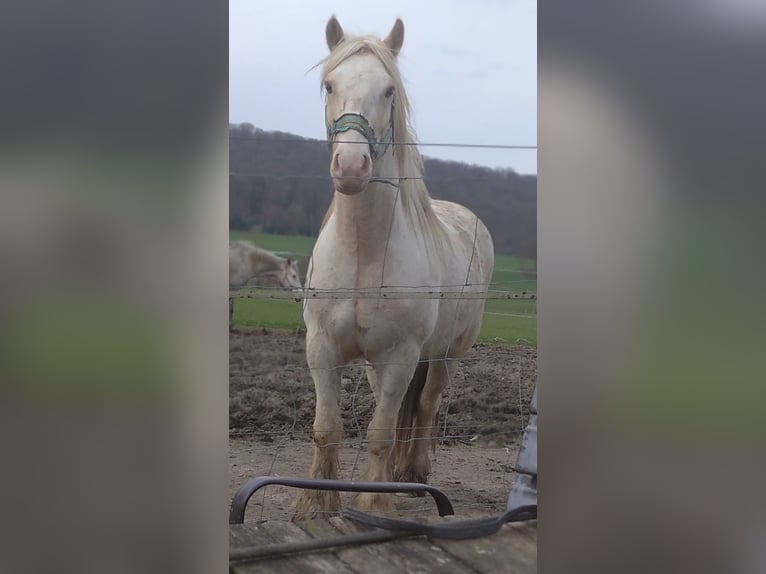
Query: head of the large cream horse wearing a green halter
x,y
361,84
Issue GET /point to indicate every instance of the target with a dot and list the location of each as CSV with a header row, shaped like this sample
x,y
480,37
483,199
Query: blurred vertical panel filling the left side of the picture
x,y
112,237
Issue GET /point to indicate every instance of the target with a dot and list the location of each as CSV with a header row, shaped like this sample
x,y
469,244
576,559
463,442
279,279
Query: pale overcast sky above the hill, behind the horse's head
x,y
470,69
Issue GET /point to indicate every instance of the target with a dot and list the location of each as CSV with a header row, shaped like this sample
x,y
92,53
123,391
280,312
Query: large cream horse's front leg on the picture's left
x,y
328,429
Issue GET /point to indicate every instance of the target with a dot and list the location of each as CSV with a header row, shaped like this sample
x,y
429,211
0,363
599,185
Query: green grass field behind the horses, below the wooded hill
x,y
505,321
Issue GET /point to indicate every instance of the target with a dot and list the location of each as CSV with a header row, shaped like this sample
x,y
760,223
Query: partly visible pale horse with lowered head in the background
x,y
247,261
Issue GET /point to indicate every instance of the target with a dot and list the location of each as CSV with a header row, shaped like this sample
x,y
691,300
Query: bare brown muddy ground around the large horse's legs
x,y
271,412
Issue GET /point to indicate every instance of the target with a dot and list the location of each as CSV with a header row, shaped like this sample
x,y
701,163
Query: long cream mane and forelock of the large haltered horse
x,y
413,192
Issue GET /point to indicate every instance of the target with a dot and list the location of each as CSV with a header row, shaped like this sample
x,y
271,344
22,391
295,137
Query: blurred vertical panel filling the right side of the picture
x,y
650,187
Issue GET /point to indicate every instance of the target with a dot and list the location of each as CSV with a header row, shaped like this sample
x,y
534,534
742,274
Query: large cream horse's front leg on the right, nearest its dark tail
x,y
392,376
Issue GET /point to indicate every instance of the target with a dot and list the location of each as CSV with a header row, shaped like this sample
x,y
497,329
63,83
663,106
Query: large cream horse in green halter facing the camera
x,y
383,230
